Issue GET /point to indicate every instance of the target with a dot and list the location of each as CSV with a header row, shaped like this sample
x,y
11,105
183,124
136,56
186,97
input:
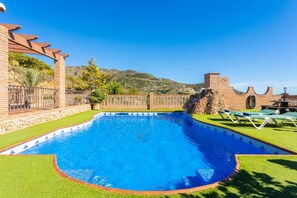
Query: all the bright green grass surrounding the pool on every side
x,y
34,176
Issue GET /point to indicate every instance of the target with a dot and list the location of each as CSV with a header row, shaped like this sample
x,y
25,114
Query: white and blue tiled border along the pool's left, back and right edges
x,y
26,145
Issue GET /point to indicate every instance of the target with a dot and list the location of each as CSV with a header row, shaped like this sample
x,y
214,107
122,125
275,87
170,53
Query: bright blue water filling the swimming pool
x,y
162,152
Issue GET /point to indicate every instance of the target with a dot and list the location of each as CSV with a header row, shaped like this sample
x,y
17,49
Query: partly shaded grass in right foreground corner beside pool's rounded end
x,y
259,176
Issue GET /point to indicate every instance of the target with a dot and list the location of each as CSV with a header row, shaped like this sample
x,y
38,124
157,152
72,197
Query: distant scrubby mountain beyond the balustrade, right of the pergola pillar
x,y
144,82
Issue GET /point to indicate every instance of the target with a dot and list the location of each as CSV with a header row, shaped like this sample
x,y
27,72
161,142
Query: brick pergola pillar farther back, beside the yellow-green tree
x,y
59,69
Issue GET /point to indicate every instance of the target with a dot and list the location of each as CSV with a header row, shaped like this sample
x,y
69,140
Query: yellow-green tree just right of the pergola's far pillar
x,y
91,78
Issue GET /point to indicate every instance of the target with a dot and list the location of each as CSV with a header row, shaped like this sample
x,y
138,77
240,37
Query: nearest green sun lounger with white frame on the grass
x,y
290,116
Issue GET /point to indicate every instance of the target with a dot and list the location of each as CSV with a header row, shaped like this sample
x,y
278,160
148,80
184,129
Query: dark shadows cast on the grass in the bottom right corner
x,y
254,184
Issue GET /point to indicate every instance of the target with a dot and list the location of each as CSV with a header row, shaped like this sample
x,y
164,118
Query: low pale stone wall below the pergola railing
x,y
20,121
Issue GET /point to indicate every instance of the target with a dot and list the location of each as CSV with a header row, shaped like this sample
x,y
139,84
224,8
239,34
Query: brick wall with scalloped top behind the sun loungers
x,y
234,100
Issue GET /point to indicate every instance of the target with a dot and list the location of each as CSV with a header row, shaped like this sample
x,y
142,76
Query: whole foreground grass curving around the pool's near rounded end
x,y
34,176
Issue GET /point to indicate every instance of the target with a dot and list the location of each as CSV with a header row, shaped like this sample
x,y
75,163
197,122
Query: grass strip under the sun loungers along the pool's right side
x,y
282,136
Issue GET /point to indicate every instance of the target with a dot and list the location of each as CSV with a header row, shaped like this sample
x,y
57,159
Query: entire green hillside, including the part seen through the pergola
x,y
132,81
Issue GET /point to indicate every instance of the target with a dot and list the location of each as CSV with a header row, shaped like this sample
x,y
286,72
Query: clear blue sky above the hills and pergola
x,y
253,42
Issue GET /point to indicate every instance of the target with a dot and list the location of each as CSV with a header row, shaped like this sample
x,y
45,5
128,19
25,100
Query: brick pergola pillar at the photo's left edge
x,y
3,72
